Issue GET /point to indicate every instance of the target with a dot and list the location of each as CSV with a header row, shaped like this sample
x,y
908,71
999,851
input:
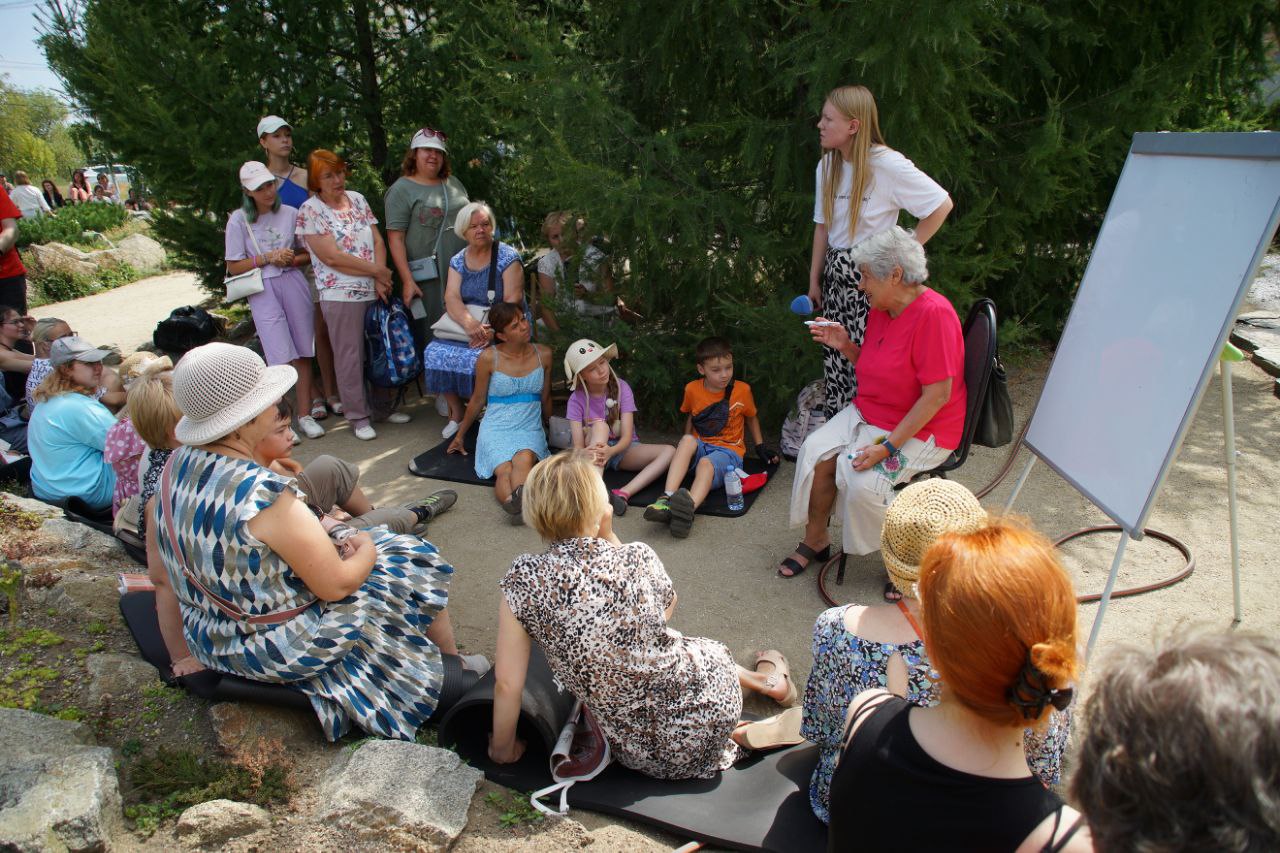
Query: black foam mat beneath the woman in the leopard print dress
x,y
761,804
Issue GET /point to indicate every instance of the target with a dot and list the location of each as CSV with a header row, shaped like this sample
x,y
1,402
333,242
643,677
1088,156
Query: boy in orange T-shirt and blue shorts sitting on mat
x,y
719,409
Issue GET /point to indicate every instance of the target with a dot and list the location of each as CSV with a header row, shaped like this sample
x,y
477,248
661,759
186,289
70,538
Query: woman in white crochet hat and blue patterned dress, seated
x,y
255,585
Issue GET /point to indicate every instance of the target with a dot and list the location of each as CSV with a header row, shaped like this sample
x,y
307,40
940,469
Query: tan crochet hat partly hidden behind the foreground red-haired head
x,y
915,522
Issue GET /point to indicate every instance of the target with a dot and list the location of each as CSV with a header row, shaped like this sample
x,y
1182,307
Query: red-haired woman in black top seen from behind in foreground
x,y
999,619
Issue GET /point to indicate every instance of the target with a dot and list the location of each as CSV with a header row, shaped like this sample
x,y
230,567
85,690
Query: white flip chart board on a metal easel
x,y
1182,240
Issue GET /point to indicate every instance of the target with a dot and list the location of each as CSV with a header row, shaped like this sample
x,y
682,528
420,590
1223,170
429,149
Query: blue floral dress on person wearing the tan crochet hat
x,y
844,665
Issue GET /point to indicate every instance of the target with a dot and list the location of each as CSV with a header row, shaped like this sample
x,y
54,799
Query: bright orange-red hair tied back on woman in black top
x,y
993,600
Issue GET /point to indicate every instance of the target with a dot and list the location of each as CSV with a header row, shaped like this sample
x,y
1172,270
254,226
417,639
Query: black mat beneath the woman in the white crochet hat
x,y
140,614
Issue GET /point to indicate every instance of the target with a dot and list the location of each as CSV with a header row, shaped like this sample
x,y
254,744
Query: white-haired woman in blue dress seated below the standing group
x,y
451,366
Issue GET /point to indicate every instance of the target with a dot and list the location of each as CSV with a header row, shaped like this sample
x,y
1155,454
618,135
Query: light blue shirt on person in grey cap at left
x,y
66,439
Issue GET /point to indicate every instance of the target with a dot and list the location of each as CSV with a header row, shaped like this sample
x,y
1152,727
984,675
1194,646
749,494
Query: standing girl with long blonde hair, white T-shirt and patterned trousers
x,y
862,185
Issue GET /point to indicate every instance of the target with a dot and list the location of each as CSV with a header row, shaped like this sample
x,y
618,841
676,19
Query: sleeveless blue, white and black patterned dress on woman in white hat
x,y
363,662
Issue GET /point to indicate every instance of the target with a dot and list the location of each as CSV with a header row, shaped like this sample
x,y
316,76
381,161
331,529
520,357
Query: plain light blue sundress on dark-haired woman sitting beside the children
x,y
513,421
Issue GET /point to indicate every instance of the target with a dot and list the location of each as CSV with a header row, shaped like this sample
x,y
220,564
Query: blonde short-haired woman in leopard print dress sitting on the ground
x,y
668,704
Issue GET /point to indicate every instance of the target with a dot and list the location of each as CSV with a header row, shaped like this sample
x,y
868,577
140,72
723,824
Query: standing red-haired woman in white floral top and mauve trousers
x,y
350,262
